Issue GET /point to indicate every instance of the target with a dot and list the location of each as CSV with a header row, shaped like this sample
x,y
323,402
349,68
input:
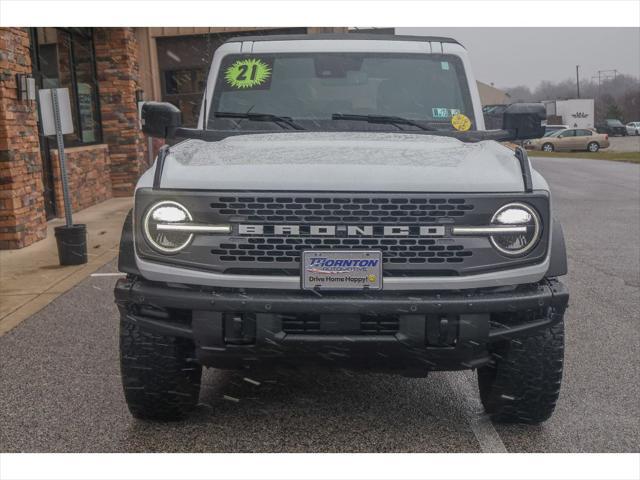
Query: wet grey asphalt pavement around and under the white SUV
x,y
60,390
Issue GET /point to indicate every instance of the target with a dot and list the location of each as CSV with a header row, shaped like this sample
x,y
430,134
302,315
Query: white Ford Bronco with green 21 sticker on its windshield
x,y
341,203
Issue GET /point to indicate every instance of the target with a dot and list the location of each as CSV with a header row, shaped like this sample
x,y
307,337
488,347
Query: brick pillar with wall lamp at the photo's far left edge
x,y
22,215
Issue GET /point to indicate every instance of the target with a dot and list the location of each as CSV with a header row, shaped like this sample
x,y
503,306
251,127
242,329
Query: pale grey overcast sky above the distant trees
x,y
526,56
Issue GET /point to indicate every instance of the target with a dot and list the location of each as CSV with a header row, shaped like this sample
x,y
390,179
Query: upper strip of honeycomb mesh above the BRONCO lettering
x,y
391,209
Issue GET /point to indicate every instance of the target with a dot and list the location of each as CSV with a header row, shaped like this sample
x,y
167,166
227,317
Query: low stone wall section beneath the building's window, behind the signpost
x,y
88,174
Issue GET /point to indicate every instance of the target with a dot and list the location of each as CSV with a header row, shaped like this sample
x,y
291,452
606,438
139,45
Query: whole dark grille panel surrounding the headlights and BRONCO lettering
x,y
403,255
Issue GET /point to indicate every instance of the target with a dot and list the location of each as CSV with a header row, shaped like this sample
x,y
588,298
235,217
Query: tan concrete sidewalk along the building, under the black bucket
x,y
30,278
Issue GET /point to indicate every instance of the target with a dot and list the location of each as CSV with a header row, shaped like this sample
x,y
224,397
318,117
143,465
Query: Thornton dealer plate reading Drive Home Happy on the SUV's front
x,y
341,270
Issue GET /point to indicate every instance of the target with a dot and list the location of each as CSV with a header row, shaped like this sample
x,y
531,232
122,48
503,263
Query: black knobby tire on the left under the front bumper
x,y
160,377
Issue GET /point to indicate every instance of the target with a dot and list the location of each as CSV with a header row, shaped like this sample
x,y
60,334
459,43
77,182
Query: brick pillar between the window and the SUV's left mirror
x,y
118,80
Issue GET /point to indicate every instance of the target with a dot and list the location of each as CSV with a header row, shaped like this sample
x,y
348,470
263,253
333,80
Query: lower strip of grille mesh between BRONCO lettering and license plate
x,y
395,250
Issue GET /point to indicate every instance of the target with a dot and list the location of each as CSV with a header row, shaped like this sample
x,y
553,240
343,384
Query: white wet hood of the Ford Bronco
x,y
342,161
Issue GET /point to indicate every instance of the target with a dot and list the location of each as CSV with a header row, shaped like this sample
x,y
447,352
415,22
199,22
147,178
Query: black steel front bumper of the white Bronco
x,y
415,331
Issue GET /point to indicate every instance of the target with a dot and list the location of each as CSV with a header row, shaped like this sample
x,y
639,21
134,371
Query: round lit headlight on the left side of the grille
x,y
157,226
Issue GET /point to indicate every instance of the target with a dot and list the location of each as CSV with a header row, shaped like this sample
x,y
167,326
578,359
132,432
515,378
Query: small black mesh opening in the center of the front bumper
x,y
369,325
